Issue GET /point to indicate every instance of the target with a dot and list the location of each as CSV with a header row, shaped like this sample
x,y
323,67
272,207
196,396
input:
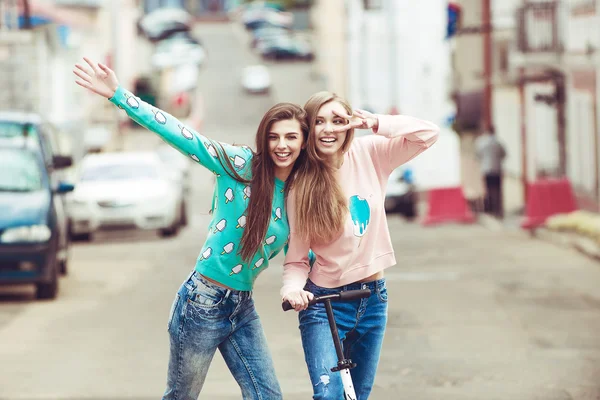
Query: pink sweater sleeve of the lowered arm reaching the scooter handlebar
x,y
297,262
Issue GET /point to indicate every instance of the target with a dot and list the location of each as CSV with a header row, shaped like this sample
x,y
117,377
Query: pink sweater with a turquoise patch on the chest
x,y
364,247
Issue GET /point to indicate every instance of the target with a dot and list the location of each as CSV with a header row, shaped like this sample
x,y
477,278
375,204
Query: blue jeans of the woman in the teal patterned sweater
x,y
205,317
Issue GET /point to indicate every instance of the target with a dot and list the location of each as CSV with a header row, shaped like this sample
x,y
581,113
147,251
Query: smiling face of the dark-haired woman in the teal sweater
x,y
286,141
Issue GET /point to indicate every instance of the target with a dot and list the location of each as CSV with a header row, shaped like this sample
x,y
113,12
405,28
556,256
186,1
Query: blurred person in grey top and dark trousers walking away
x,y
491,154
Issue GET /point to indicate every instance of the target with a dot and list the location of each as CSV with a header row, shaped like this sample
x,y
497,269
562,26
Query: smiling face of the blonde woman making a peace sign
x,y
327,142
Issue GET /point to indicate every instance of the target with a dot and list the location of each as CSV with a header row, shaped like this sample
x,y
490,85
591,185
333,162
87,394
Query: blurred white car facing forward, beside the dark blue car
x,y
125,190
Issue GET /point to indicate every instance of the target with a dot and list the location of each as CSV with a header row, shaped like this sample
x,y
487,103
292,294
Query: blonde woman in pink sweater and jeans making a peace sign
x,y
336,209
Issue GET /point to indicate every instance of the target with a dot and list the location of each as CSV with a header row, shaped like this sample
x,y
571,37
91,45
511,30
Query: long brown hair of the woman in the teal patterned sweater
x,y
262,180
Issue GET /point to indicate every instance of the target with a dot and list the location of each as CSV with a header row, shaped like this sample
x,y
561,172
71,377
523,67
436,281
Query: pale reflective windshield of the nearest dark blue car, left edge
x,y
21,172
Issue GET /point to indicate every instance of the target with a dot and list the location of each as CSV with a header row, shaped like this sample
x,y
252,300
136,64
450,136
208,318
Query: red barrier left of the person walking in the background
x,y
447,205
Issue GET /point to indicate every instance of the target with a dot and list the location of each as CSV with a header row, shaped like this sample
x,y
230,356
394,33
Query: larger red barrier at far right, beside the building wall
x,y
547,197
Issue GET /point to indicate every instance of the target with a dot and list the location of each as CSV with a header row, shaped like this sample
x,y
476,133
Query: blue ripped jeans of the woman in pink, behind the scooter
x,y
361,326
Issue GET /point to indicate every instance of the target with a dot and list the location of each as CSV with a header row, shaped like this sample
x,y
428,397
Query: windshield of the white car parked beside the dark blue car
x,y
119,172
